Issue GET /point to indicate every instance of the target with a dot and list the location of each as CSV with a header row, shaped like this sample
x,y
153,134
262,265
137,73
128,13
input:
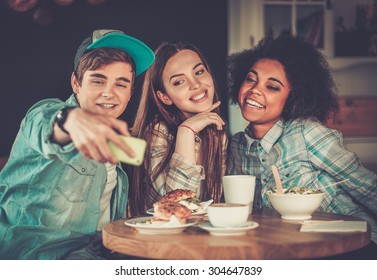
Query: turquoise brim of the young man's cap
x,y
142,55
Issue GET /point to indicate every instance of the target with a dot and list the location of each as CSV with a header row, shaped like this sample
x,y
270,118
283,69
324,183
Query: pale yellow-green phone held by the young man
x,y
137,144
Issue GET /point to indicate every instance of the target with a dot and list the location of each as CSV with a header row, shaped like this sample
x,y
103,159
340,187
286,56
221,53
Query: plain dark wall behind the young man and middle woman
x,y
36,61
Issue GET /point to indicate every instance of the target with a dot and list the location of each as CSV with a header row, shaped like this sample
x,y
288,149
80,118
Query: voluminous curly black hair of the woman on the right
x,y
313,91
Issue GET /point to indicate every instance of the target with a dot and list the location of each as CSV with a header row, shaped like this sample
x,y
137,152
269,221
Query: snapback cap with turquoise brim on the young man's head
x,y
142,55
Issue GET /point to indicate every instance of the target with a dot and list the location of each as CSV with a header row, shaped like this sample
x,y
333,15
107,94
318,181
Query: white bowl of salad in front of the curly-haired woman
x,y
296,206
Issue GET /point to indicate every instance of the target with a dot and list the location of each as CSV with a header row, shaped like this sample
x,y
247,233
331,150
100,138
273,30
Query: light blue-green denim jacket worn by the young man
x,y
50,194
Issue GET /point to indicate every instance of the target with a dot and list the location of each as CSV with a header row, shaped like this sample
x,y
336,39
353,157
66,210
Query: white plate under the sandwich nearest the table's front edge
x,y
140,225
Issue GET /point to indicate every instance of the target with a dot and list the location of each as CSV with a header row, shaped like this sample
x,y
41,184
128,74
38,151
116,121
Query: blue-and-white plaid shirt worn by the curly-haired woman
x,y
311,155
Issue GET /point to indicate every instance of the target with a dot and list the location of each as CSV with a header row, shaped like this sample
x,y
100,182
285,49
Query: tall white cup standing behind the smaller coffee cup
x,y
239,189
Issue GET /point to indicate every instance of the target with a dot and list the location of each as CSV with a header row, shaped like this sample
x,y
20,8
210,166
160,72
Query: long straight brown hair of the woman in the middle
x,y
151,112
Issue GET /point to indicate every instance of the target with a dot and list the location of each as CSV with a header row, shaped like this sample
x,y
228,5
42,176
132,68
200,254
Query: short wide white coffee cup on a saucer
x,y
226,215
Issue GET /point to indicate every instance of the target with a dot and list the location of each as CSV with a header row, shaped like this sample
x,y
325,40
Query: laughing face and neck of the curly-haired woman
x,y
263,94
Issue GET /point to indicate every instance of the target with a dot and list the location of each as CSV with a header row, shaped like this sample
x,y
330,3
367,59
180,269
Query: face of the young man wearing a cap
x,y
106,90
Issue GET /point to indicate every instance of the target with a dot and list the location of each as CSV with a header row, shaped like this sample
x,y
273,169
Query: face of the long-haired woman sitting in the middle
x,y
188,83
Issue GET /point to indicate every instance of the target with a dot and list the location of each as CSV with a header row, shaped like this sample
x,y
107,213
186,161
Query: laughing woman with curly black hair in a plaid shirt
x,y
286,92
